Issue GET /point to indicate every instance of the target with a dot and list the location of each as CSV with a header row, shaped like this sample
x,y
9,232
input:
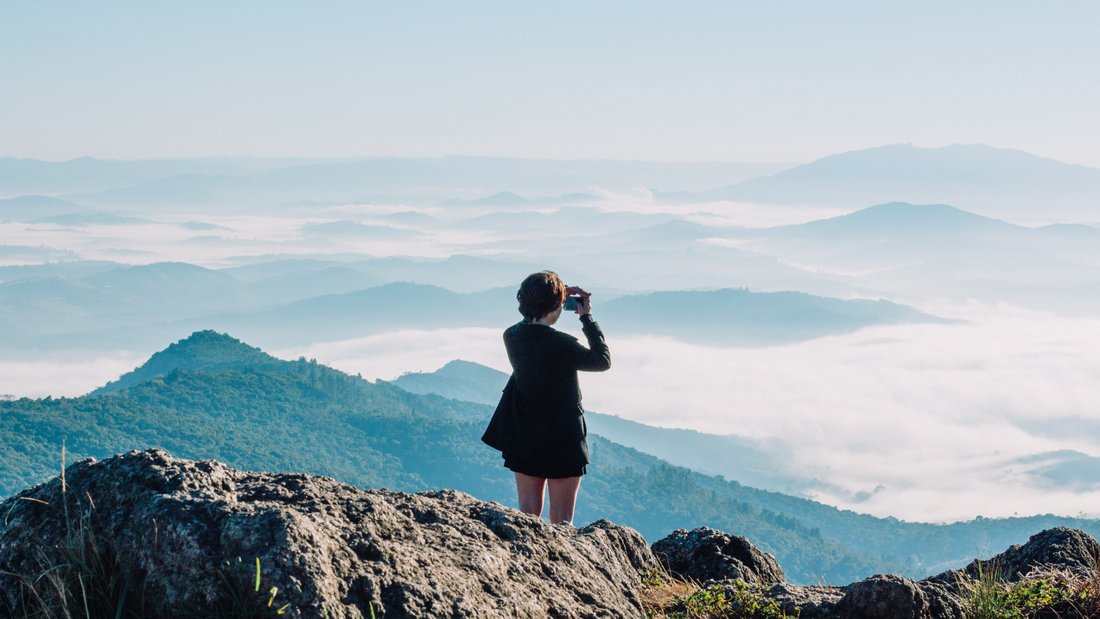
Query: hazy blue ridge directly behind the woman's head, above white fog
x,y
719,317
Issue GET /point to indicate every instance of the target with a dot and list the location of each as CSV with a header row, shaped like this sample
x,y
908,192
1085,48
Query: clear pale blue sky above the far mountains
x,y
647,81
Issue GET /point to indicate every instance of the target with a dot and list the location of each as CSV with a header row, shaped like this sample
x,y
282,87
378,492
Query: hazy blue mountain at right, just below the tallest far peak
x,y
940,251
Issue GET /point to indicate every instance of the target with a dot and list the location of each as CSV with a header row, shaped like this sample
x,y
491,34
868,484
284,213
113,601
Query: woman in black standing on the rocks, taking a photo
x,y
540,424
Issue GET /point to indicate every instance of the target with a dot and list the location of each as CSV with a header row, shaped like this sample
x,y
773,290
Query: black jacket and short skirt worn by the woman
x,y
541,418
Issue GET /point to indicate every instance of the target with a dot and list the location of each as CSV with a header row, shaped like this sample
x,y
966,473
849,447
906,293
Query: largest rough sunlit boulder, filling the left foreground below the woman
x,y
333,550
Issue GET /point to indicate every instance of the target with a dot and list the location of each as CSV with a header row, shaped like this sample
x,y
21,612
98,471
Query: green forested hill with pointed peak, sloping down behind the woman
x,y
213,397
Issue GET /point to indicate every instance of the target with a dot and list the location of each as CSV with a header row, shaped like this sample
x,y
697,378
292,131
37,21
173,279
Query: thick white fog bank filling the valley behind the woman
x,y
929,413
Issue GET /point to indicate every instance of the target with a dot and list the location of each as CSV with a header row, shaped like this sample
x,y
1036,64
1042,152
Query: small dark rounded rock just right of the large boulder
x,y
706,555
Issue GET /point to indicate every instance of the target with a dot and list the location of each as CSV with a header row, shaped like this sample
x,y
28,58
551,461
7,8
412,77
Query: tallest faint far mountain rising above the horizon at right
x,y
998,183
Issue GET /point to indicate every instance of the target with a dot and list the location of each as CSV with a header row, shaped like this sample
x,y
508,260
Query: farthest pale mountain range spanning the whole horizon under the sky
x,y
999,183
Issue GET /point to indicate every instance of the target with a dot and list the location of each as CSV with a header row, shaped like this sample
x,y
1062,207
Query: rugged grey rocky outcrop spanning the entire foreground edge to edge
x,y
332,550
